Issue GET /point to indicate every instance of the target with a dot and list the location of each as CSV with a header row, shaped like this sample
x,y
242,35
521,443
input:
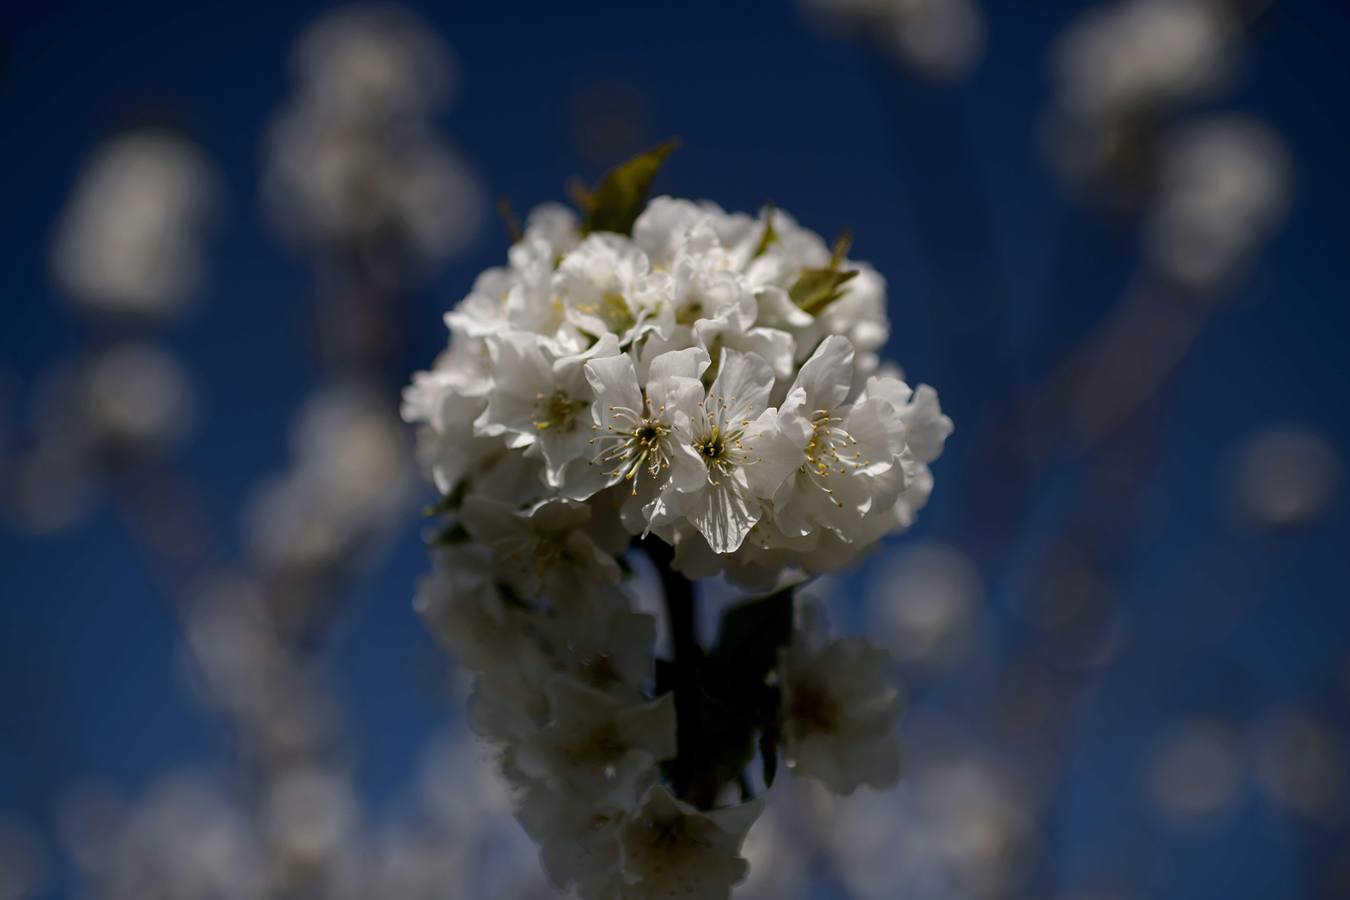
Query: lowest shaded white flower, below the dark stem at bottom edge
x,y
673,851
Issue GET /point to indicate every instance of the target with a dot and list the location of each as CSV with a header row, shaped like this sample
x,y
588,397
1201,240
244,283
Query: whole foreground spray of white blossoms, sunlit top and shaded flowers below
x,y
705,385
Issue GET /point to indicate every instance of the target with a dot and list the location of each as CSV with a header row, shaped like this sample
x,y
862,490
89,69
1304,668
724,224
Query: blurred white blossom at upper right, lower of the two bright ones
x,y
1222,191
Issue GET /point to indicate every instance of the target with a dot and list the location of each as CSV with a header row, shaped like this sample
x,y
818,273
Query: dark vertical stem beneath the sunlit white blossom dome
x,y
682,617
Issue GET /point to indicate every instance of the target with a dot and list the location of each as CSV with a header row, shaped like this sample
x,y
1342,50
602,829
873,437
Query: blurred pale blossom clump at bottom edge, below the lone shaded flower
x,y
955,828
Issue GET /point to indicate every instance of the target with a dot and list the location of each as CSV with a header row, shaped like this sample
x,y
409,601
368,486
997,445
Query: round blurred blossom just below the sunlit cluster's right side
x,y
923,602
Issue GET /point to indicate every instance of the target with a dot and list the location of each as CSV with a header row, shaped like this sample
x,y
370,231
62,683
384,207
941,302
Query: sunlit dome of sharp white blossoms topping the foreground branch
x,y
712,380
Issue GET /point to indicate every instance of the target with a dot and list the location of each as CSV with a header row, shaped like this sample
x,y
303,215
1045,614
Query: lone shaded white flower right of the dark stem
x,y
840,702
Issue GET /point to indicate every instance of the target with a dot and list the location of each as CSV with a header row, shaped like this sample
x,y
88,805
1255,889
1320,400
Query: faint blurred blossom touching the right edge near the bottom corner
x,y
1302,764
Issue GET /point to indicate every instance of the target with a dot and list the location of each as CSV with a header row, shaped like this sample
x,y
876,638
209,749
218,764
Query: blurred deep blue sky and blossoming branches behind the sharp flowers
x,y
1114,237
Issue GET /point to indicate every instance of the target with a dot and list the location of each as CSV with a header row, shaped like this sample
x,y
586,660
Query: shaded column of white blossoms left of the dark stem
x,y
564,696
